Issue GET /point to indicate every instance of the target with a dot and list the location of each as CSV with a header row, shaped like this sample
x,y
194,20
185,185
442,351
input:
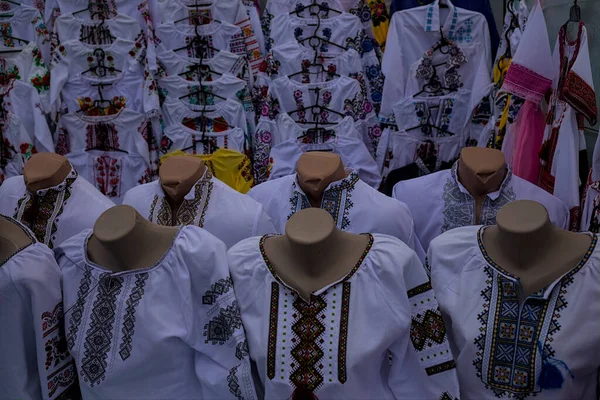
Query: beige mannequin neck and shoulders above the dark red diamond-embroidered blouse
x,y
313,253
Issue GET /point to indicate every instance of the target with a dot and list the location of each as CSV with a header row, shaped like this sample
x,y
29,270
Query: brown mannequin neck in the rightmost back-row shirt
x,y
481,171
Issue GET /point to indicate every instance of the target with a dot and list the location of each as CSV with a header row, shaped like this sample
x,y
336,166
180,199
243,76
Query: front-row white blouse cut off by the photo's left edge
x,y
35,361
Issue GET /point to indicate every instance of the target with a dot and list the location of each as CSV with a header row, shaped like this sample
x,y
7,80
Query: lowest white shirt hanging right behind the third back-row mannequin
x,y
352,151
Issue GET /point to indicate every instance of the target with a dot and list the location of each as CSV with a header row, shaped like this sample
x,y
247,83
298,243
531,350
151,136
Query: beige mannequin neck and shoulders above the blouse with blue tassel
x,y
526,244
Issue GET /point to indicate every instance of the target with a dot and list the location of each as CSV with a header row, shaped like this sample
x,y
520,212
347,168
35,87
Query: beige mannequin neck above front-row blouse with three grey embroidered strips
x,y
123,240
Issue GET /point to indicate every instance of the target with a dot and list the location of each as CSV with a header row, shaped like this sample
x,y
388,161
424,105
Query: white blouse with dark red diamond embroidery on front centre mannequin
x,y
387,291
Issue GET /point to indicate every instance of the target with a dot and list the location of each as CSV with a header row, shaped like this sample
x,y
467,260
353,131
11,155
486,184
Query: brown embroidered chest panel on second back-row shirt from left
x,y
191,212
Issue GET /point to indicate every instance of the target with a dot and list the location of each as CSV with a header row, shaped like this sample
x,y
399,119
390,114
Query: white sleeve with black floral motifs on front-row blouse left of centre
x,y
215,329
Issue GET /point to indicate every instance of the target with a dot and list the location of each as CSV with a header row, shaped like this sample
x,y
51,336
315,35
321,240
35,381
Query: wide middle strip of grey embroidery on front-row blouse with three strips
x,y
99,335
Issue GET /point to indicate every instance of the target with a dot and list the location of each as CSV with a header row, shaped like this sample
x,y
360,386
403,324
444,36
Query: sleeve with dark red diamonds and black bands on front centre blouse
x,y
428,336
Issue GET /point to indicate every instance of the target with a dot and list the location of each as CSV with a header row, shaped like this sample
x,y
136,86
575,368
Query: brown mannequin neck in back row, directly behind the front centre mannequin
x,y
316,170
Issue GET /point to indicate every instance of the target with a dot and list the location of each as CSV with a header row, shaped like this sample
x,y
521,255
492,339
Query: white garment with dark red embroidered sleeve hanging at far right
x,y
573,101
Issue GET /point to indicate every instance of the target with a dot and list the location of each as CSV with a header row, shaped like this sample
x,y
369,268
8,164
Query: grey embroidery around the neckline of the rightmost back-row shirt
x,y
459,207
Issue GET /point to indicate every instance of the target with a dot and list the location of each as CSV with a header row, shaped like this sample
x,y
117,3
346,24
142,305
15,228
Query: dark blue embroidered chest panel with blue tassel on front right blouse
x,y
515,344
